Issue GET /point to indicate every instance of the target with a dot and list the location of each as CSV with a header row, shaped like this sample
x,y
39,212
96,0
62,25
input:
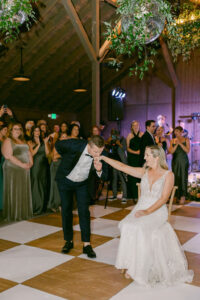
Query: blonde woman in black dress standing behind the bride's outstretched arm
x,y
133,150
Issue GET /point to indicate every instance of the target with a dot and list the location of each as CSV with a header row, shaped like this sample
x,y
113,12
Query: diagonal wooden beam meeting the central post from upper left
x,y
78,26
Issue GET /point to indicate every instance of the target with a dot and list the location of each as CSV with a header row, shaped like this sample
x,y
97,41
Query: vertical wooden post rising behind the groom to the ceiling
x,y
96,63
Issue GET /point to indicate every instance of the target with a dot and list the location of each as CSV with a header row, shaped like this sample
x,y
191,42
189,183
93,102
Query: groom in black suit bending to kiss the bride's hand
x,y
76,168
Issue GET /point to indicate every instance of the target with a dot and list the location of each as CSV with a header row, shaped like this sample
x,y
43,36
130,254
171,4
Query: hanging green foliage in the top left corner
x,y
14,13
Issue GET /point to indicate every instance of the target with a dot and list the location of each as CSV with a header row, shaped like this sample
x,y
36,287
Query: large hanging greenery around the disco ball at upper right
x,y
141,22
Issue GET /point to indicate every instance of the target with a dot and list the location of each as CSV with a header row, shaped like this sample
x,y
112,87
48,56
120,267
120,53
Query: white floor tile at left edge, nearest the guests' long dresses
x,y
24,232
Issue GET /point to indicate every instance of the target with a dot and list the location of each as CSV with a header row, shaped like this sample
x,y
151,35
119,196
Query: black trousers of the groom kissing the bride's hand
x,y
67,188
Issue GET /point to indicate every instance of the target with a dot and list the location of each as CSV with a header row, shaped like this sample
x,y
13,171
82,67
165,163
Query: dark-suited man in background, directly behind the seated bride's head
x,y
147,139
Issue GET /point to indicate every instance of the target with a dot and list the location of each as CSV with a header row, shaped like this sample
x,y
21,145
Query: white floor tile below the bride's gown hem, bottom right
x,y
180,292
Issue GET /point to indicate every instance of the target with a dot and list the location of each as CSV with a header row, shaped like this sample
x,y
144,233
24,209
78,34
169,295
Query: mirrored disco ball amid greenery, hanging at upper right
x,y
152,26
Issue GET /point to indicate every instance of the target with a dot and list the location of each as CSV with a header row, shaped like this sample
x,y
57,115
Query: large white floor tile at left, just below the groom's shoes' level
x,y
23,262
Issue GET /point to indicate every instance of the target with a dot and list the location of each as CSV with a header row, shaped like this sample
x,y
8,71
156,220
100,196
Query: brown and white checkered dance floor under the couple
x,y
32,267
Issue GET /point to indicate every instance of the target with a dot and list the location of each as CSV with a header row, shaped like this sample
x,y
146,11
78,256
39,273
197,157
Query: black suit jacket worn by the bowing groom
x,y
70,151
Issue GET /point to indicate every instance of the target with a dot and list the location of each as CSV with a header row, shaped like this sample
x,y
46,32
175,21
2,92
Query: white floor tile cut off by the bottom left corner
x,y
20,292
